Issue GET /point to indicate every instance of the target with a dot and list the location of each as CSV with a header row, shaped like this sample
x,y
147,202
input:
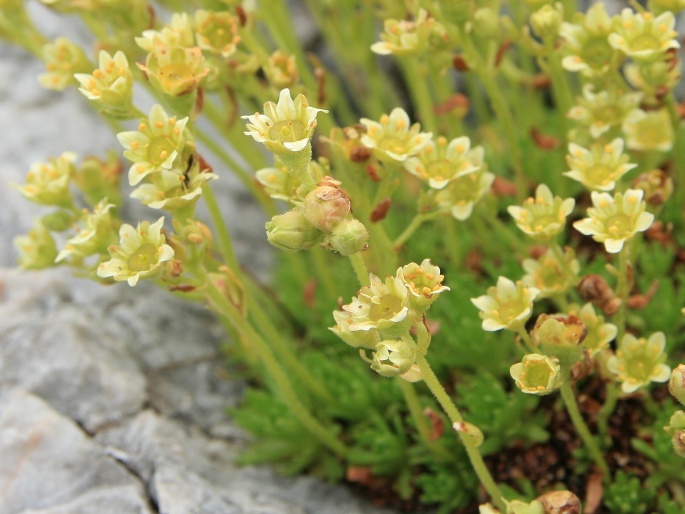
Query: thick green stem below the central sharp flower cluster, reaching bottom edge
x,y
455,416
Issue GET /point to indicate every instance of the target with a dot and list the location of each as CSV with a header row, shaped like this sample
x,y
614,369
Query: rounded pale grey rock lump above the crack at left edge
x,y
80,371
